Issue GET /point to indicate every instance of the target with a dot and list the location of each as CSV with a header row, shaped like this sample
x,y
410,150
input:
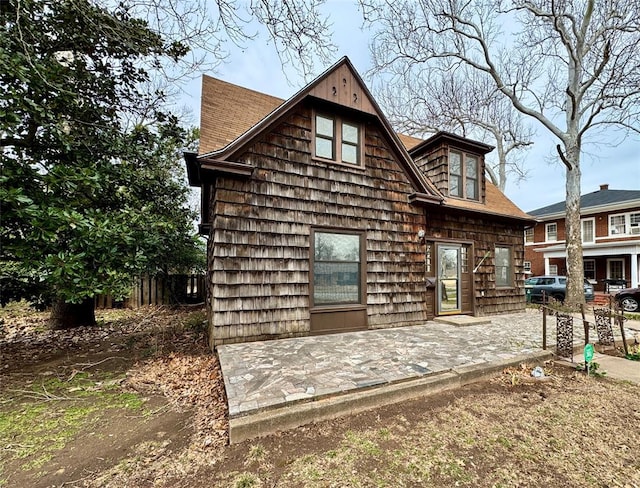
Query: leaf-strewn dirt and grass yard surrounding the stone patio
x,y
139,402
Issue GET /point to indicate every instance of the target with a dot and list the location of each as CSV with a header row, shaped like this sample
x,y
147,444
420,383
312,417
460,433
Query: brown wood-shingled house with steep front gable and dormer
x,y
321,219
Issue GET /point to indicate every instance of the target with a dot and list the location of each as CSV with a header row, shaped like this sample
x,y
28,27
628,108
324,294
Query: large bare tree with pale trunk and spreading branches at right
x,y
572,66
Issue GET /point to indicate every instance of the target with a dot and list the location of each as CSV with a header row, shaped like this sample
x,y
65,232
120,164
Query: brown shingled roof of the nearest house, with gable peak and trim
x,y
233,116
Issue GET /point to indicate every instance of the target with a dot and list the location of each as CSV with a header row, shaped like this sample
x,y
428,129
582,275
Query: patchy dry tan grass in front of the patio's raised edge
x,y
571,430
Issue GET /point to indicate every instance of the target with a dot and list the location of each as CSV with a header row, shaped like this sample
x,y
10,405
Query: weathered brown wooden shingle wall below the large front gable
x,y
260,232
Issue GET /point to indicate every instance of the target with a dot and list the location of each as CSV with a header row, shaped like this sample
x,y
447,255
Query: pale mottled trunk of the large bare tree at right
x,y
575,265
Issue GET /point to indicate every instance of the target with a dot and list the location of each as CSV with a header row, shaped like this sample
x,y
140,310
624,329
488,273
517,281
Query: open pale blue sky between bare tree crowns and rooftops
x,y
256,66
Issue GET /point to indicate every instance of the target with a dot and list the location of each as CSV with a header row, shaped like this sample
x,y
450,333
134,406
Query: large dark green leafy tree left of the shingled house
x,y
89,191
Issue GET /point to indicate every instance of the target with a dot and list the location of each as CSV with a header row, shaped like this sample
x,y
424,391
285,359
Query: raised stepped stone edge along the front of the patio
x,y
298,414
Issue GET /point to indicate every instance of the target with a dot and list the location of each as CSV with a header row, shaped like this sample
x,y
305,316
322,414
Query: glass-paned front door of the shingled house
x,y
448,287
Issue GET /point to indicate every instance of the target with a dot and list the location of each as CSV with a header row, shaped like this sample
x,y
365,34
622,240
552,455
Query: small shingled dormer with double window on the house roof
x,y
454,164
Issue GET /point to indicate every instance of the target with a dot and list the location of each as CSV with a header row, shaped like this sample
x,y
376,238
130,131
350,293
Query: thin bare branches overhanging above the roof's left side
x,y
299,31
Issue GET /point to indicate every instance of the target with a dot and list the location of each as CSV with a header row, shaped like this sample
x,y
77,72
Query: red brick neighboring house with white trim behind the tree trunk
x,y
610,222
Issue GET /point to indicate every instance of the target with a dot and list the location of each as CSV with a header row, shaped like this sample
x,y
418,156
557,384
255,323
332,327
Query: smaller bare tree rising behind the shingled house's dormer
x,y
461,101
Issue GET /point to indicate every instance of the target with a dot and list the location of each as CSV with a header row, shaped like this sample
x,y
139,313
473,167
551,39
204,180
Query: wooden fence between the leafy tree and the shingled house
x,y
159,290
